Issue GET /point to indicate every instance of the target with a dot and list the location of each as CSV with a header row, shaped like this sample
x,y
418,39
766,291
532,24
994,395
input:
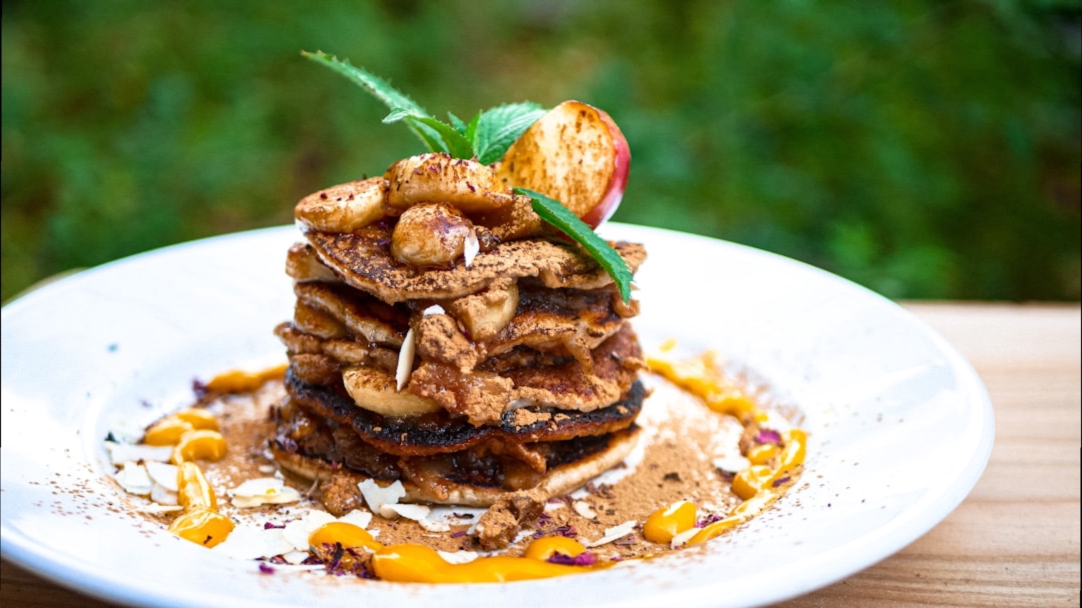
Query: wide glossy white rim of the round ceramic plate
x,y
900,426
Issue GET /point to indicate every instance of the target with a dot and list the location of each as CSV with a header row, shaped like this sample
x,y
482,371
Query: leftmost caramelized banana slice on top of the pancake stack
x,y
345,208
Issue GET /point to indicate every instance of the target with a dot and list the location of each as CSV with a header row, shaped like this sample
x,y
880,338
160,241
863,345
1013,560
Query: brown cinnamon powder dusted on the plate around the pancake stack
x,y
675,461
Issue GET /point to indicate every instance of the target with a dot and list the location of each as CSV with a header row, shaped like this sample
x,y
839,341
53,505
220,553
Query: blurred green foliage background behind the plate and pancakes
x,y
923,149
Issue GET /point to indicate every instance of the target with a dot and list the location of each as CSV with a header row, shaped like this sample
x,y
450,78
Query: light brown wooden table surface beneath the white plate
x,y
1013,543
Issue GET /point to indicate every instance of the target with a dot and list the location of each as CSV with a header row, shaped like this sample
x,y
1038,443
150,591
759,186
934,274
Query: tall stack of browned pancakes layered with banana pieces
x,y
511,369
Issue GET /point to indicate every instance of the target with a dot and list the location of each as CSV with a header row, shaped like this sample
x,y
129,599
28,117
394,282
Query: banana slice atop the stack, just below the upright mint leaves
x,y
438,178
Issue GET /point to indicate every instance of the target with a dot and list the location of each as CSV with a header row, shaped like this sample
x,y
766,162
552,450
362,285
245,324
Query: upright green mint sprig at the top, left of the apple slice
x,y
487,137
